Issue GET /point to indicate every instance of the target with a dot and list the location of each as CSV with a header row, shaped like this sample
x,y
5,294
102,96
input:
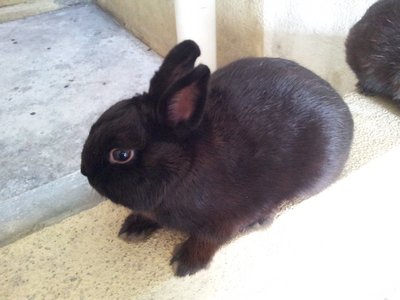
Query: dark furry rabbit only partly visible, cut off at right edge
x,y
373,50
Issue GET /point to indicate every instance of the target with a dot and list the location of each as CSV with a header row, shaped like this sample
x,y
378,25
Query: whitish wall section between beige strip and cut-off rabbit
x,y
312,32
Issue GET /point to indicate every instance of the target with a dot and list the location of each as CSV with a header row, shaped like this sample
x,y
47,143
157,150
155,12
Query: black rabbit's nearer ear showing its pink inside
x,y
182,106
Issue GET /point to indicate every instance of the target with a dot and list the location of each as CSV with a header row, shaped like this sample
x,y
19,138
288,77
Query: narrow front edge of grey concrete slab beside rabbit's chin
x,y
45,205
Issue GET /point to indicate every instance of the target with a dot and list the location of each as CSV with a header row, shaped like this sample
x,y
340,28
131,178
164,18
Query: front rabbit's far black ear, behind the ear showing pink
x,y
178,62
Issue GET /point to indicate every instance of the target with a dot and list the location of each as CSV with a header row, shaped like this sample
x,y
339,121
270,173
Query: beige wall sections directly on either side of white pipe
x,y
239,25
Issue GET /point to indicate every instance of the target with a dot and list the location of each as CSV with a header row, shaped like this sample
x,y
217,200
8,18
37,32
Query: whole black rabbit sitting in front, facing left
x,y
211,155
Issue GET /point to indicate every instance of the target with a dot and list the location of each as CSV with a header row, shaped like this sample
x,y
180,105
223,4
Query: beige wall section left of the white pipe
x,y
152,21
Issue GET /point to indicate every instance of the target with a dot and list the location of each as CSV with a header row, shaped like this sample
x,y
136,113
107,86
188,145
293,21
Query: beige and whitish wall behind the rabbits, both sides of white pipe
x,y
311,32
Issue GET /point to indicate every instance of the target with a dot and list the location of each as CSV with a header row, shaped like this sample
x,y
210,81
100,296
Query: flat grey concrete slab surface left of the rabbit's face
x,y
60,70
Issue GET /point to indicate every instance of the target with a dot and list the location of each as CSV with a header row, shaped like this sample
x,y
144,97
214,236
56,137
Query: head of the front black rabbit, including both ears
x,y
141,146
